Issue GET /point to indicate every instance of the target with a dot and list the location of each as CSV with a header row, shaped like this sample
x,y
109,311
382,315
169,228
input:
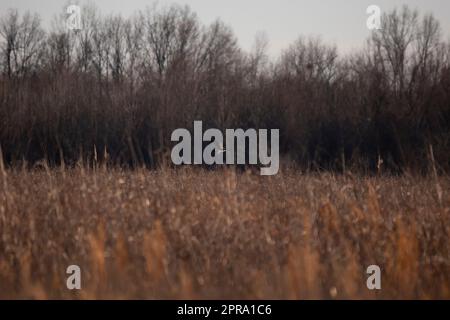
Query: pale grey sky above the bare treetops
x,y
342,22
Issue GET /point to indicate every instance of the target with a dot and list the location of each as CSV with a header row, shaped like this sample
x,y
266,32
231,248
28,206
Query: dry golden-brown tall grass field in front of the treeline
x,y
193,233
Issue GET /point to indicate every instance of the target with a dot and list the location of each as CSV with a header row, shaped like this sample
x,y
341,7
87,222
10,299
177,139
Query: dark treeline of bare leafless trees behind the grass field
x,y
116,90
